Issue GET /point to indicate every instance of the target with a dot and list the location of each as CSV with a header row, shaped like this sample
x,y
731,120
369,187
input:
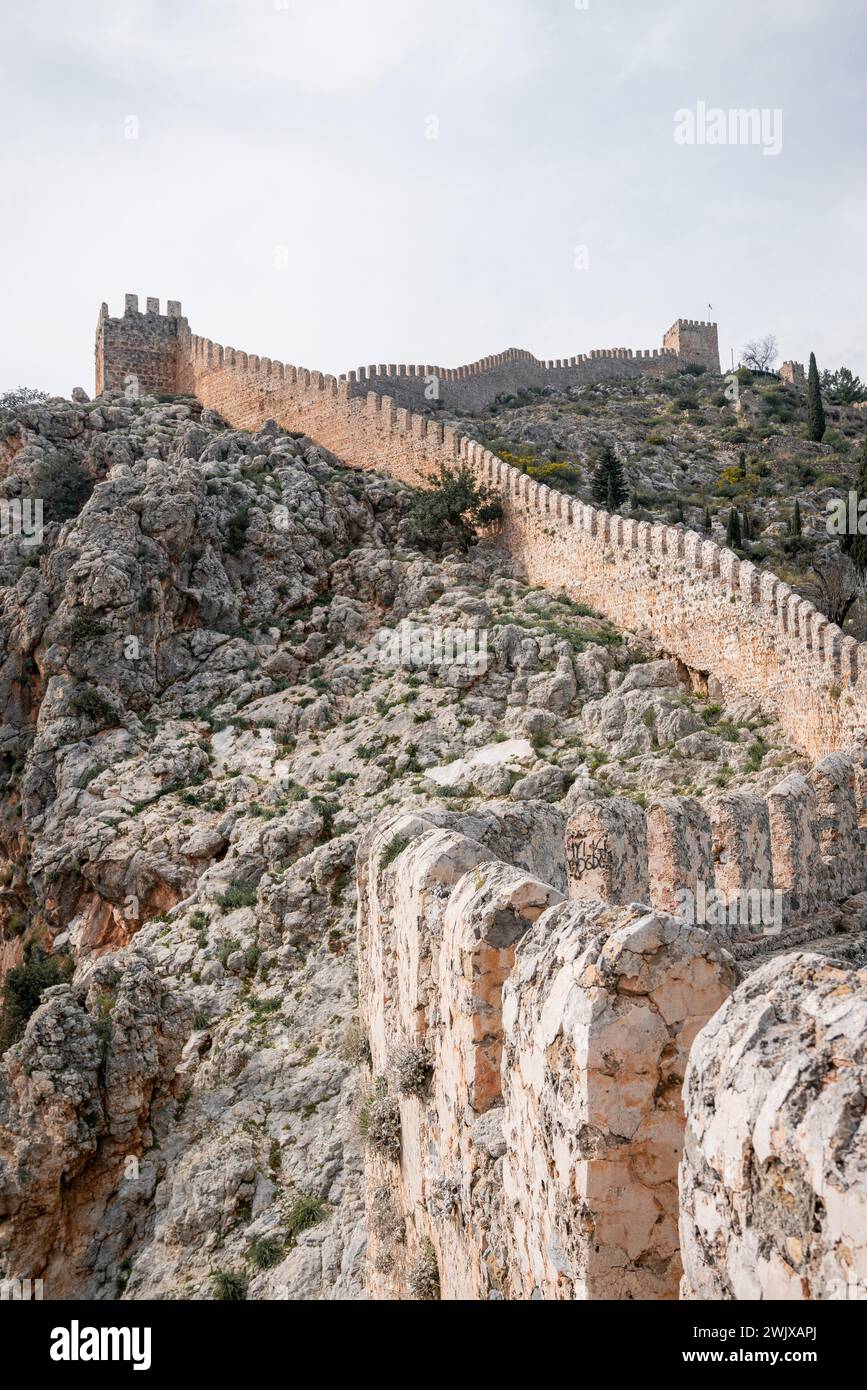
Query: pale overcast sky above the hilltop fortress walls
x,y
283,184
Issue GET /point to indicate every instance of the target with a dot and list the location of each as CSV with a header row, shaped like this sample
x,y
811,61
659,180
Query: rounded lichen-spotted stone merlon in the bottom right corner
x,y
775,1172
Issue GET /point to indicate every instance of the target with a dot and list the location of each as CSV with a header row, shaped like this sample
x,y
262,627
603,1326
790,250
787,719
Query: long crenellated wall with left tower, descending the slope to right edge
x,y
720,616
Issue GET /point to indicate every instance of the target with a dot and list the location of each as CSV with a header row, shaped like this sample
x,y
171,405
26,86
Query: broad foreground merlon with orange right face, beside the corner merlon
x,y
598,1018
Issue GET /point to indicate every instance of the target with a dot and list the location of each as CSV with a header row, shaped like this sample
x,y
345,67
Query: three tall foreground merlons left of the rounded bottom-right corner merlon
x,y
538,1159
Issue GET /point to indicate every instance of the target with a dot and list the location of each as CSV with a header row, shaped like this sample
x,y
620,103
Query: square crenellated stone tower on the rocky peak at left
x,y
141,352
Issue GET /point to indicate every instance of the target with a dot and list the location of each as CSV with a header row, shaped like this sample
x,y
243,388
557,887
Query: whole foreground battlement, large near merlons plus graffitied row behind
x,y
555,1011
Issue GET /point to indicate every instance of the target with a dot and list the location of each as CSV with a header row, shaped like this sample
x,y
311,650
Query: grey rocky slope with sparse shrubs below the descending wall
x,y
219,667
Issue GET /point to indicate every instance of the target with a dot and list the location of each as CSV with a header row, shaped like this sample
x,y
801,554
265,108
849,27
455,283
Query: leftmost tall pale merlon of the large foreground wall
x,y
408,868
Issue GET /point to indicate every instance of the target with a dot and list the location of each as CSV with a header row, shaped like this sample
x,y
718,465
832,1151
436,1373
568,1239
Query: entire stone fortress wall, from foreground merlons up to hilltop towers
x,y
531,1027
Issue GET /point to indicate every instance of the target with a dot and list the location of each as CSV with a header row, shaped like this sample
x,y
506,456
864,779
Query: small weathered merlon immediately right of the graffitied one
x,y
680,850
